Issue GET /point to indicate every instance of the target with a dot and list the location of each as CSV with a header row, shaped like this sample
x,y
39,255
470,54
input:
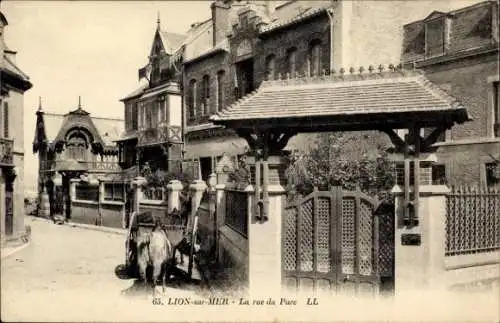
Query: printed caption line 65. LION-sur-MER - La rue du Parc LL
x,y
180,301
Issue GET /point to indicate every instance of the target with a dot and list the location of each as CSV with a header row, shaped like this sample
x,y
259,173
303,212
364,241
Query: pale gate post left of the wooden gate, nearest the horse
x,y
264,235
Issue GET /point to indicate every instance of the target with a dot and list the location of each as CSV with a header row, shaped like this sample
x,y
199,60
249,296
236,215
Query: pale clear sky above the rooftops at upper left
x,y
90,49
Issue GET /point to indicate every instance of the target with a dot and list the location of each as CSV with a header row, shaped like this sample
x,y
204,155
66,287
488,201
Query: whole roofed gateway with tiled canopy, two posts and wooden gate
x,y
384,100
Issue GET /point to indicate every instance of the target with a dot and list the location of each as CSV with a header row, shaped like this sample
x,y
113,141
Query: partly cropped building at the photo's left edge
x,y
13,83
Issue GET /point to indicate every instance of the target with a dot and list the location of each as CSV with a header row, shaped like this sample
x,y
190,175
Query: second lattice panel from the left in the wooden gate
x,y
306,236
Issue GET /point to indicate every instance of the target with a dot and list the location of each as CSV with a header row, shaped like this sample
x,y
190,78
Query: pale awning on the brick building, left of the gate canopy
x,y
215,147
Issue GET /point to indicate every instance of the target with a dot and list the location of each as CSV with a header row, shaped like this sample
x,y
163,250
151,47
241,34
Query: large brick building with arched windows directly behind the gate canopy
x,y
244,42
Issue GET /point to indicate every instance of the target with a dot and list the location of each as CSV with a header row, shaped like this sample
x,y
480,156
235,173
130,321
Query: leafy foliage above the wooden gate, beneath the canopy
x,y
348,160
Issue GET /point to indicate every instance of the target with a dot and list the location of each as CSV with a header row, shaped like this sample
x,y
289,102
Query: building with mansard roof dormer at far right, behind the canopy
x,y
458,50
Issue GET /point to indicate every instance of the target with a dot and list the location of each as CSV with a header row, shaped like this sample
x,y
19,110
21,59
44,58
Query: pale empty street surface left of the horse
x,y
67,273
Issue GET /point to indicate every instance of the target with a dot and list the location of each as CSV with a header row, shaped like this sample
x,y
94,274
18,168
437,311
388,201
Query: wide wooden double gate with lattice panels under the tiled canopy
x,y
331,243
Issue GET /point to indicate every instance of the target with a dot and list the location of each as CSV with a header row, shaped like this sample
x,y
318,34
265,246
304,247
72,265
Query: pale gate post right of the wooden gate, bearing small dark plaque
x,y
420,249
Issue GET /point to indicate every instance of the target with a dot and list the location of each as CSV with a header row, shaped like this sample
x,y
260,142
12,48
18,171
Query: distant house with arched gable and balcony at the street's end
x,y
74,144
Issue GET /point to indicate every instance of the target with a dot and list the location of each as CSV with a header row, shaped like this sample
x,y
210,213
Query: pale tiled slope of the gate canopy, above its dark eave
x,y
340,96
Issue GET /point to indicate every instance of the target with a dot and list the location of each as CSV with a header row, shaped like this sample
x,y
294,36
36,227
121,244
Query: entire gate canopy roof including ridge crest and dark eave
x,y
364,101
